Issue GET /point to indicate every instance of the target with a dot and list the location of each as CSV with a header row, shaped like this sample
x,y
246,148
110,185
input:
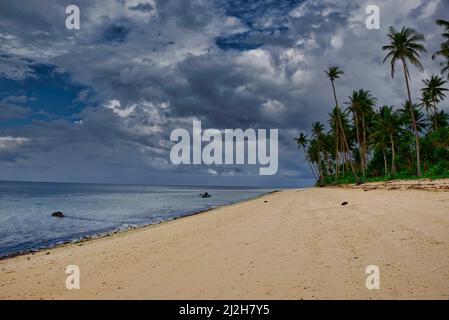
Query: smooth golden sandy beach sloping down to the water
x,y
293,244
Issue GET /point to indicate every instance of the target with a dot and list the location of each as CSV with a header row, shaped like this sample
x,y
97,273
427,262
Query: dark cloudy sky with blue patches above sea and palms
x,y
98,104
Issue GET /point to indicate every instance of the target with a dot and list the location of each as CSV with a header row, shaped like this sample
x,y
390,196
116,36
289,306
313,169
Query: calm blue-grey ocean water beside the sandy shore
x,y
25,209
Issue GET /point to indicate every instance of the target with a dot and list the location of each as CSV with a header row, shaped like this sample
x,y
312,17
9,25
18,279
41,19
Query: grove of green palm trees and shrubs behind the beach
x,y
373,143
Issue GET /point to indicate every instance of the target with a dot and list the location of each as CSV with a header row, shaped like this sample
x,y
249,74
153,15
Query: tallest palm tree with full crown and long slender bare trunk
x,y
405,46
